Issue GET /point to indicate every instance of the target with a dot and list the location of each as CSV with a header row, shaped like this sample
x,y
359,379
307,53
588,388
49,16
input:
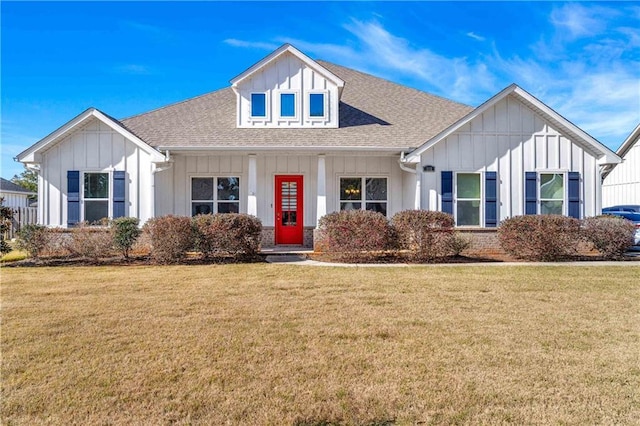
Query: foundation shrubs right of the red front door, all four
x,y
426,236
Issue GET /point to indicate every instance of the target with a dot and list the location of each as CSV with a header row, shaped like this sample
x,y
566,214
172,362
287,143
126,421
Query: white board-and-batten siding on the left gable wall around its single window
x,y
94,148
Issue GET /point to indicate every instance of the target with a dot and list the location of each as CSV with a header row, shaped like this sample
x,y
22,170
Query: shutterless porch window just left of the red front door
x,y
215,195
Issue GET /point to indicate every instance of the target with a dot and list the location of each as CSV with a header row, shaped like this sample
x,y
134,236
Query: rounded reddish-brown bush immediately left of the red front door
x,y
234,234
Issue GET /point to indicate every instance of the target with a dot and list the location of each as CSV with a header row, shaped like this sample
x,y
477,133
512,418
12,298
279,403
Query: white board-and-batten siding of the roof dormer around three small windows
x,y
287,74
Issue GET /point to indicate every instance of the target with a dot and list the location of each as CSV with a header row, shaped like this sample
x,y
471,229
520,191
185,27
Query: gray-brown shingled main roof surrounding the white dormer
x,y
374,113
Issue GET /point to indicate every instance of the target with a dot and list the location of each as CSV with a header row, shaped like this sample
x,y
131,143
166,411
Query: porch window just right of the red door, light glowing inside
x,y
366,193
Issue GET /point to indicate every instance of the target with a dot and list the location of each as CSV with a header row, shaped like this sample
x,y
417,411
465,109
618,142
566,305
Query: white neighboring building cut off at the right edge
x,y
622,182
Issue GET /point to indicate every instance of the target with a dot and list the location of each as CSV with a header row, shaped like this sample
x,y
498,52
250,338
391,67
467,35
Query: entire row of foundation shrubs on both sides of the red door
x,y
356,235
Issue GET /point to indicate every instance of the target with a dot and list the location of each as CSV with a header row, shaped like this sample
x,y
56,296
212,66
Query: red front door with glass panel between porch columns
x,y
289,213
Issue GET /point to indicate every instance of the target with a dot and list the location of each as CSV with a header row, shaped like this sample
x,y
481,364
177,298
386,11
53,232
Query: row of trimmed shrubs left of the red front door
x,y
166,238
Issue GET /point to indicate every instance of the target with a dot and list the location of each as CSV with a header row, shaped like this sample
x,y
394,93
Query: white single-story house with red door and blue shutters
x,y
293,138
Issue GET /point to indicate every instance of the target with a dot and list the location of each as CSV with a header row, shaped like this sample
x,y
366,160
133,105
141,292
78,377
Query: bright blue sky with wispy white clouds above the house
x,y
57,59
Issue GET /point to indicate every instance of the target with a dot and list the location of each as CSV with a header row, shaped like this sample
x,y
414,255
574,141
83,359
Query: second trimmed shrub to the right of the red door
x,y
426,234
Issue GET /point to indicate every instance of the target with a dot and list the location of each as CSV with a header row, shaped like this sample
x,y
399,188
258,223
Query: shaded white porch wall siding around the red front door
x,y
173,186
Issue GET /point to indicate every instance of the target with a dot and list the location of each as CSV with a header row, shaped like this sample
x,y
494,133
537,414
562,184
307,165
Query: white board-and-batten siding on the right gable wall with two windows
x,y
510,139
